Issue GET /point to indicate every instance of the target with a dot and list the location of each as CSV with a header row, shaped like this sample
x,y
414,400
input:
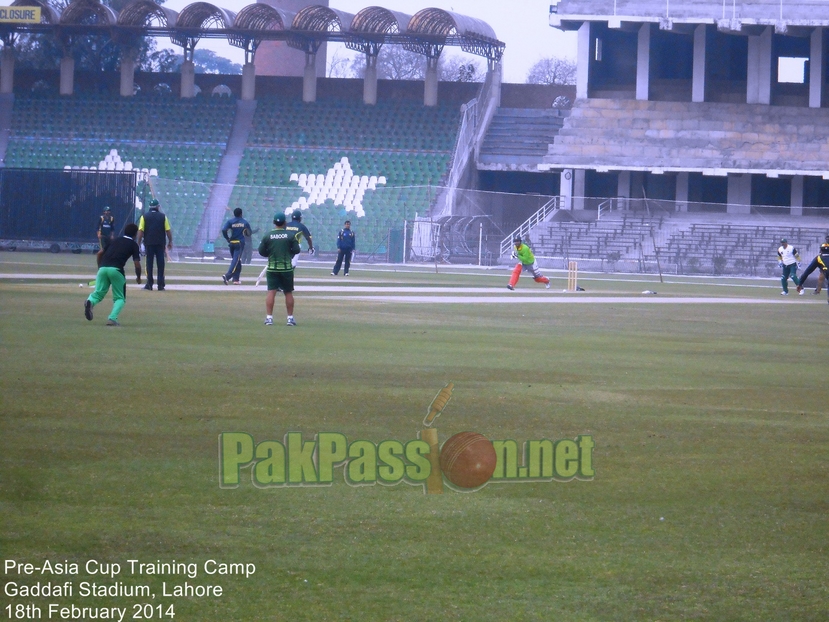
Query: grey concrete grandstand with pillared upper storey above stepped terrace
x,y
685,102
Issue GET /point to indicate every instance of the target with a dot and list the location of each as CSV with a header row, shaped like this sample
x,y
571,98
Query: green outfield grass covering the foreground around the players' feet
x,y
709,500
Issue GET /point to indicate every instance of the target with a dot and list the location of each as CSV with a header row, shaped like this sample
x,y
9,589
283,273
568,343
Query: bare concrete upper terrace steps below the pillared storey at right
x,y
689,136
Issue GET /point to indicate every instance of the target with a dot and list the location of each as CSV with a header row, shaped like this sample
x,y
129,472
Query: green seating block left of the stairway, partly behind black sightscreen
x,y
182,139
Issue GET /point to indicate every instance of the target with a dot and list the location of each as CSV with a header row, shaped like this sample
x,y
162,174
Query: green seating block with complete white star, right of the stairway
x,y
337,159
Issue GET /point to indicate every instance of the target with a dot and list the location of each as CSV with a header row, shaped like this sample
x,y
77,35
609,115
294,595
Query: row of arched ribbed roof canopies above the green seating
x,y
427,32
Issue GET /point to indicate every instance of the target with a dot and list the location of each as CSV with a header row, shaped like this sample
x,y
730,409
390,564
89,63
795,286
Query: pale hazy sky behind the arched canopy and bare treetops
x,y
523,25
